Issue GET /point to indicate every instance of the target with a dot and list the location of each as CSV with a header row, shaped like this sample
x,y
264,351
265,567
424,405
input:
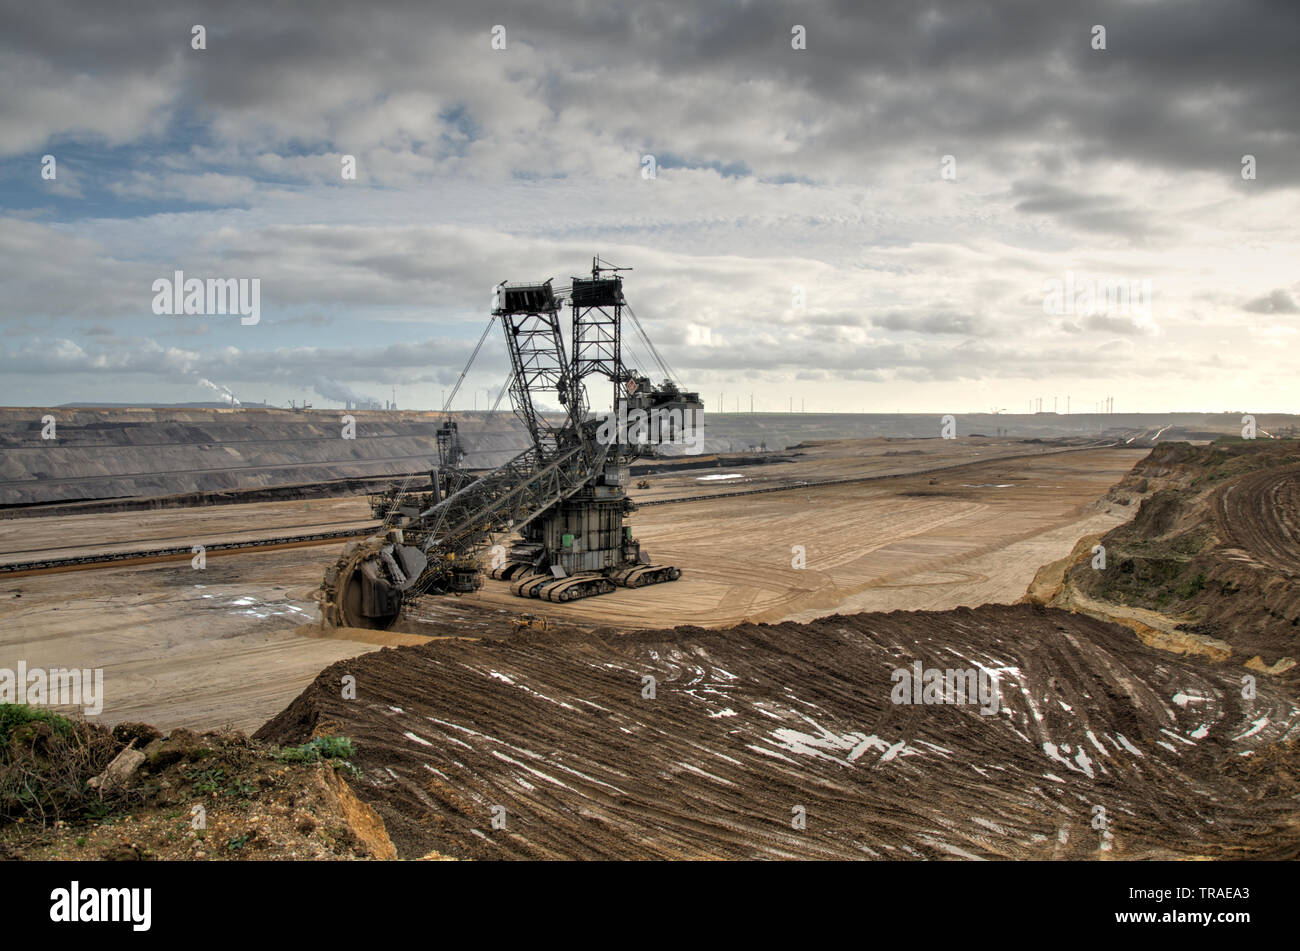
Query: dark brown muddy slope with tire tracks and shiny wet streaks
x,y
748,724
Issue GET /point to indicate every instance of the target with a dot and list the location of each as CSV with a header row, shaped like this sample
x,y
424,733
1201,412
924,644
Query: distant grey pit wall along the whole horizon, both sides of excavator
x,y
125,453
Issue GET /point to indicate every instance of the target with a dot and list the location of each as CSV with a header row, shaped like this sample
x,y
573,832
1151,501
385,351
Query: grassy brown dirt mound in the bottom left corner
x,y
190,797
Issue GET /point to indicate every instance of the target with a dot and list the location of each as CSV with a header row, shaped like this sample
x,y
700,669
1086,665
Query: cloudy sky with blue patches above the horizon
x,y
928,285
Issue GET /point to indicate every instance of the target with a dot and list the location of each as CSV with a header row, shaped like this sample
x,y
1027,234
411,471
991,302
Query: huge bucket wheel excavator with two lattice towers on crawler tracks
x,y
551,522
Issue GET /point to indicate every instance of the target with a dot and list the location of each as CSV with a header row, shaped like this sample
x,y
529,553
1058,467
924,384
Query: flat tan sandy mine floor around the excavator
x,y
233,645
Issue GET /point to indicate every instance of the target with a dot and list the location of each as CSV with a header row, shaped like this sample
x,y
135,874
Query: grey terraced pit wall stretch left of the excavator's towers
x,y
118,454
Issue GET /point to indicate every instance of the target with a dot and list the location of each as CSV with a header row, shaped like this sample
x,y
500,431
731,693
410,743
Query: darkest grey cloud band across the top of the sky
x,y
1180,85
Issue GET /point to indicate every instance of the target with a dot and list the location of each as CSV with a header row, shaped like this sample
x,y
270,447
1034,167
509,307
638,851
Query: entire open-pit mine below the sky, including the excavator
x,y
600,626
